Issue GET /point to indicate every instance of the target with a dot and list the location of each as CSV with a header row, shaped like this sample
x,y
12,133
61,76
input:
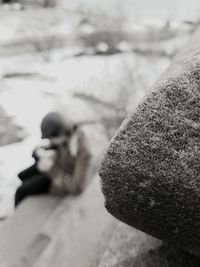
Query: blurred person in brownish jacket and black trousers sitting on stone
x,y
62,162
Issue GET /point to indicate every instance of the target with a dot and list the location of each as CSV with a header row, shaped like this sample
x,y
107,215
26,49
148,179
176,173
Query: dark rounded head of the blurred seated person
x,y
54,126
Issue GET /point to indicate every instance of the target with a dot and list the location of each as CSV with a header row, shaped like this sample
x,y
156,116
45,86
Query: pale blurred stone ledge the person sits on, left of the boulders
x,y
49,232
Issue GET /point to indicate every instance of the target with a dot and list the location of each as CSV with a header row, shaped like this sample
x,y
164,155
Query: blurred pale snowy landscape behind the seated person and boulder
x,y
94,59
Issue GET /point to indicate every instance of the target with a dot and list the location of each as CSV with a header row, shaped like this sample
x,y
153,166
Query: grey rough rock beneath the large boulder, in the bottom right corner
x,y
130,247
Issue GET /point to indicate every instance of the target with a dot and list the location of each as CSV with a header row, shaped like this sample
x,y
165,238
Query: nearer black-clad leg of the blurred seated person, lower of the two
x,y
38,184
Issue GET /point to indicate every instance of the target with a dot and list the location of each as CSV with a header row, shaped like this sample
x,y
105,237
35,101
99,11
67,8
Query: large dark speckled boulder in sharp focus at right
x,y
150,174
